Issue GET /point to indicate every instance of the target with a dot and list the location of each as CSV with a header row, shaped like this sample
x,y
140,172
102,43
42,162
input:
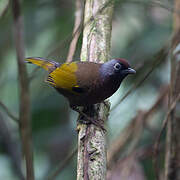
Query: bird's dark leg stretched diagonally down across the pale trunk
x,y
88,119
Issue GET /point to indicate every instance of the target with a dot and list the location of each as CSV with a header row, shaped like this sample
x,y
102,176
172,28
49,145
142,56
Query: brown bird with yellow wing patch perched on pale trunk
x,y
84,83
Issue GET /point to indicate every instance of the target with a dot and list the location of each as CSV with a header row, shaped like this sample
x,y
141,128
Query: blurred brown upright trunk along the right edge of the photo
x,y
172,164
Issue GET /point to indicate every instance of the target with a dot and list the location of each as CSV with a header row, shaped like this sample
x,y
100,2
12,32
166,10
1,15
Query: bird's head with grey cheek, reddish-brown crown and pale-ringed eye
x,y
117,68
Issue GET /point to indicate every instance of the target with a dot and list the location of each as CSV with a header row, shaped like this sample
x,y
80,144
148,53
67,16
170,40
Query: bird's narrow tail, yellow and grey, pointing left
x,y
48,65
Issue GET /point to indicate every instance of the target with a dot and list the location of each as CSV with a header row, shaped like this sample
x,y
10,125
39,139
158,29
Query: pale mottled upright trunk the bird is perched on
x,y
95,48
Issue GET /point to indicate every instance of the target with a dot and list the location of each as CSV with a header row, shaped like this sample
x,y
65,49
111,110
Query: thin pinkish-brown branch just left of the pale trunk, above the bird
x,y
77,29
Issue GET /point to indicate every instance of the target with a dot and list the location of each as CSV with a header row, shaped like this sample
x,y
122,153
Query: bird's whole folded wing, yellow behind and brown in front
x,y
76,77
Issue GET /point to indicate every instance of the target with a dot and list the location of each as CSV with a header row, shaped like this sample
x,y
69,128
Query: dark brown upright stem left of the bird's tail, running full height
x,y
24,114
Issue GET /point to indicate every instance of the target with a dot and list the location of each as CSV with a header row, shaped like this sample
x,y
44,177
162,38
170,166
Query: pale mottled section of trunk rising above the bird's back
x,y
97,30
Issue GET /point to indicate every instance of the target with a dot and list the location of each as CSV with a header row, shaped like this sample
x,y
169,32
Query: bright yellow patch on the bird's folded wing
x,y
64,76
